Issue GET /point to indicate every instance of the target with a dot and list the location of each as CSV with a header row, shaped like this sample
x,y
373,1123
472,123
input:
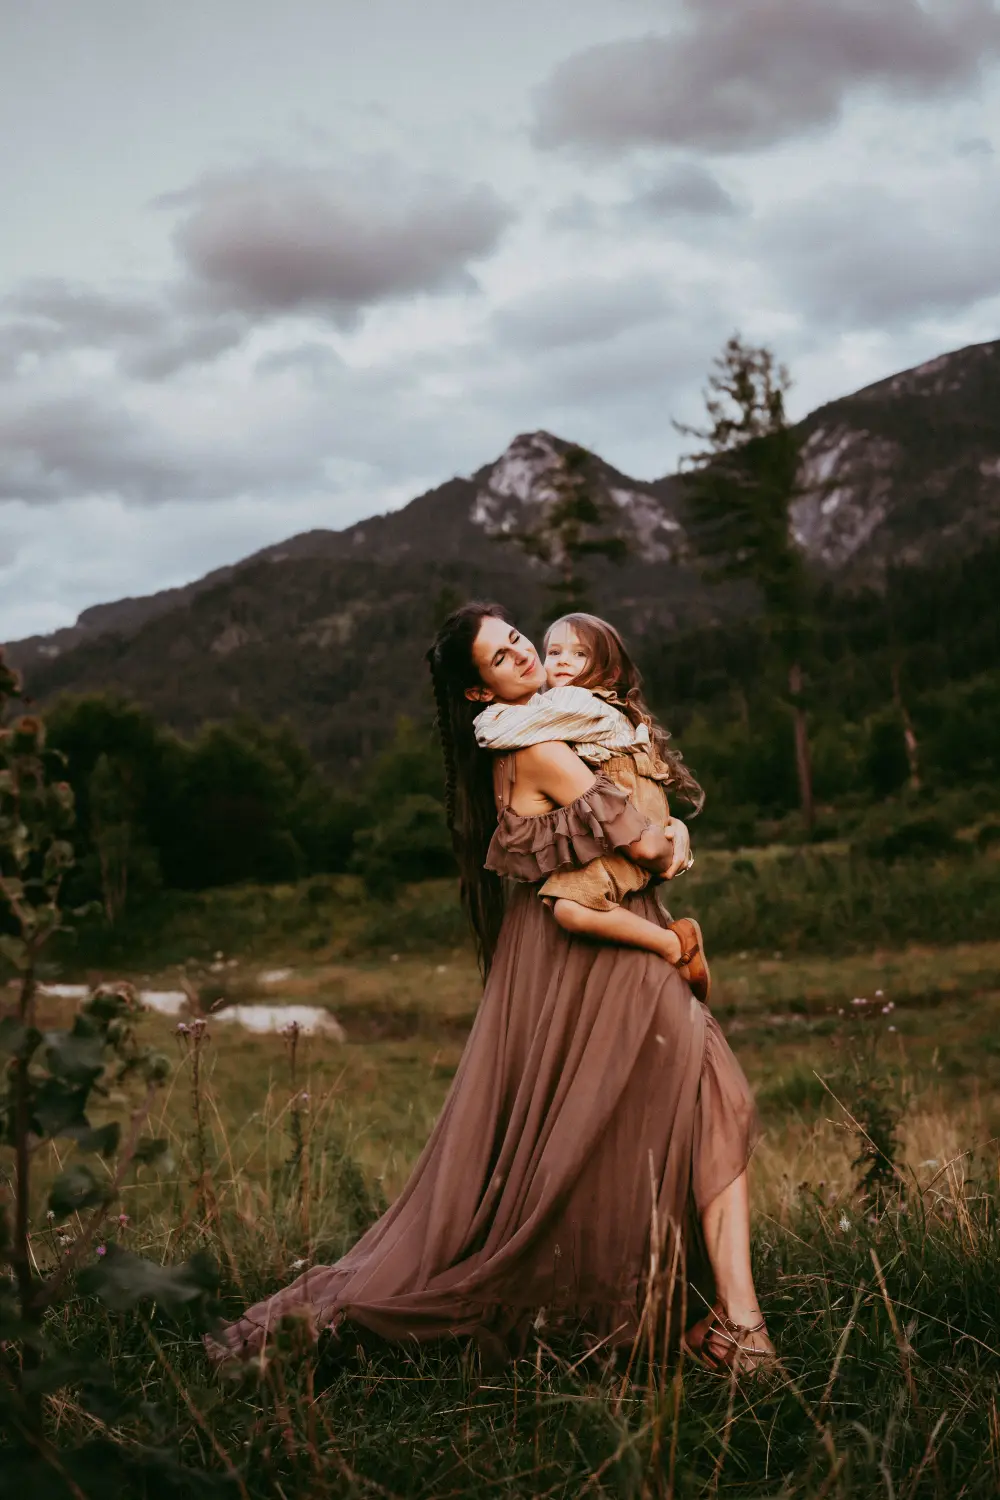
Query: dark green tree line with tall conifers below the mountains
x,y
825,715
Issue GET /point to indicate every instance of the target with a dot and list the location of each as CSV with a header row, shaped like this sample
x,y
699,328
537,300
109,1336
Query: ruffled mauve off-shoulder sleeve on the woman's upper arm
x,y
599,823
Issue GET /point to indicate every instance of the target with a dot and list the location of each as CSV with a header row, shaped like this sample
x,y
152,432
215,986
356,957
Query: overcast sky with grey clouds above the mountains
x,y
277,265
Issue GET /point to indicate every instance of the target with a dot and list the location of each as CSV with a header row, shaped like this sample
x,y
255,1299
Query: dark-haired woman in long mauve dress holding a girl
x,y
596,1102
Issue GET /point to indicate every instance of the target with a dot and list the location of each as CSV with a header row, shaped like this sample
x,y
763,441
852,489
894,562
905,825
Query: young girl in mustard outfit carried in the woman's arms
x,y
594,703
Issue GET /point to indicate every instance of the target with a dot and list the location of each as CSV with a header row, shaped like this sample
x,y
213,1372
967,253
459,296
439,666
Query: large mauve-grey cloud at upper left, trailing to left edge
x,y
257,245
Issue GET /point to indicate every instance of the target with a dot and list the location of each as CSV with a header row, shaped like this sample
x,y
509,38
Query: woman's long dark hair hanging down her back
x,y
470,803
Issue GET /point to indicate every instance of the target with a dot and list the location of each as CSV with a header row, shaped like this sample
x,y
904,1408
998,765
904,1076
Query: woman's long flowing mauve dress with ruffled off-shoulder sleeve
x,y
591,1081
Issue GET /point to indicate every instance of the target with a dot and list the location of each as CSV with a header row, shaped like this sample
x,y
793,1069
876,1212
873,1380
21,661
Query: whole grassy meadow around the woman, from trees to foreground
x,y
861,1000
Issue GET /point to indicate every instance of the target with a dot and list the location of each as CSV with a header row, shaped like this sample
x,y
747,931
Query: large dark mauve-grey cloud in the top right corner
x,y
740,77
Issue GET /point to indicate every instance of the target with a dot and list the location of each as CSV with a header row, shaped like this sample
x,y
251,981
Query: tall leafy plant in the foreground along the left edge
x,y
52,1082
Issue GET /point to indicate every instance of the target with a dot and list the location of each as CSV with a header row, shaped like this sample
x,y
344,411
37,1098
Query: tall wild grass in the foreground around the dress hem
x,y
885,1318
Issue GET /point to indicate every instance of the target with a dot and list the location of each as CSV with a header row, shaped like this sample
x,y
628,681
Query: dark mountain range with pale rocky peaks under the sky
x,y
329,628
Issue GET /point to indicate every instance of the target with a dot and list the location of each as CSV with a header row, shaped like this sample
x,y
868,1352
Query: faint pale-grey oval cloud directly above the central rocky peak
x,y
587,310
